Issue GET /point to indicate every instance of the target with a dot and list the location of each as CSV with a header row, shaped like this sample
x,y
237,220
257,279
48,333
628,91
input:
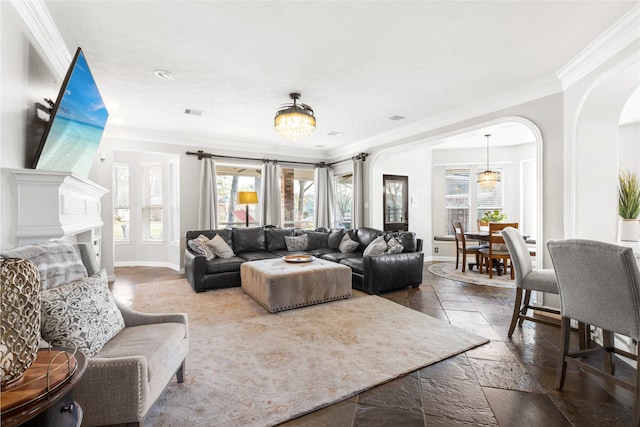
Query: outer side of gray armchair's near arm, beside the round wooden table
x,y
114,390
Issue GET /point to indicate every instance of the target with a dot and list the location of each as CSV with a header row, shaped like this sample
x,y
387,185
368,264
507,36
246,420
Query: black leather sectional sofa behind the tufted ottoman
x,y
372,274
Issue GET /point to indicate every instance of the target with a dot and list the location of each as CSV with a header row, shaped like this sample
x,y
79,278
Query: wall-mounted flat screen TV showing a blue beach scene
x,y
78,117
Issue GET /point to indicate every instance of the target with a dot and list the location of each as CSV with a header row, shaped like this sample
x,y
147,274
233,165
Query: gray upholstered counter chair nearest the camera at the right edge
x,y
599,285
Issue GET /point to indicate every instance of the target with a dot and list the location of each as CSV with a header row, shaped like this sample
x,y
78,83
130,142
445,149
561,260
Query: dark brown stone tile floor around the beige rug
x,y
506,382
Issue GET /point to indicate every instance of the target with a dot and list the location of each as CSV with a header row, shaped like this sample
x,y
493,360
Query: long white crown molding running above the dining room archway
x,y
416,131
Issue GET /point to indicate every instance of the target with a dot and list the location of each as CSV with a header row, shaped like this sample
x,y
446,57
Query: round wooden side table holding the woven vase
x,y
44,394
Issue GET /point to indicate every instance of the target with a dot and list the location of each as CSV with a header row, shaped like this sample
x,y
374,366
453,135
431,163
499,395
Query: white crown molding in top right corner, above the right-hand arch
x,y
620,35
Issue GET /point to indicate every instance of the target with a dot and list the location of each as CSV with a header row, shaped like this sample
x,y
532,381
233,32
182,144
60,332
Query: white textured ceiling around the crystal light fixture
x,y
356,63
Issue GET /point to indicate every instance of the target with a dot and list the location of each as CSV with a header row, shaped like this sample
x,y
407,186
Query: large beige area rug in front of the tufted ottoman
x,y
247,367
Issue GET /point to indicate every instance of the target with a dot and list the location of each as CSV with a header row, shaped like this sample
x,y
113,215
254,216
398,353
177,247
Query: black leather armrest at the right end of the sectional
x,y
392,271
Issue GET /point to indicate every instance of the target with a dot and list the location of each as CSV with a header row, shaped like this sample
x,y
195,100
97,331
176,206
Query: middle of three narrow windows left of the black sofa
x,y
152,204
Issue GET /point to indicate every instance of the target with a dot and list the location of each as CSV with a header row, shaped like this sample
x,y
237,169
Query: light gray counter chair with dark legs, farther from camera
x,y
528,279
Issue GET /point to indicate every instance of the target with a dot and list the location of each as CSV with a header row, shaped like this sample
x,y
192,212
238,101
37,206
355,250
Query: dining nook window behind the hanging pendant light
x,y
465,201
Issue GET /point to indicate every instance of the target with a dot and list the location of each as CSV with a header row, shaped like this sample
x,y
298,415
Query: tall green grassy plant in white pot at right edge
x,y
628,206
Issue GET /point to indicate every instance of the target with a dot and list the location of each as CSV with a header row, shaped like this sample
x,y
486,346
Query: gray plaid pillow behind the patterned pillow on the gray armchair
x,y
57,262
